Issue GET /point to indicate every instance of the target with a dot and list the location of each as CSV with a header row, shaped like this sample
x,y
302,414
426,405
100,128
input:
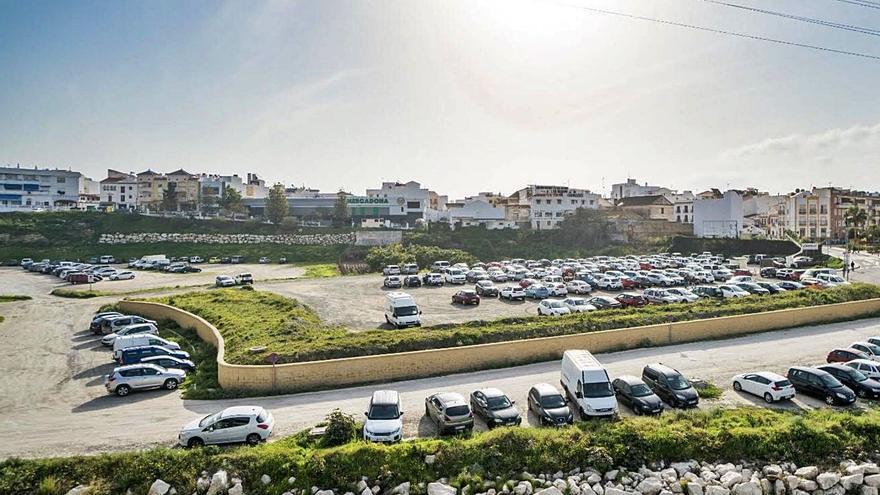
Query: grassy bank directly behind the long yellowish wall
x,y
293,330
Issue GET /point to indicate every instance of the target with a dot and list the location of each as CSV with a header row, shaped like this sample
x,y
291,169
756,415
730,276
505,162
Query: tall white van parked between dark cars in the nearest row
x,y
586,383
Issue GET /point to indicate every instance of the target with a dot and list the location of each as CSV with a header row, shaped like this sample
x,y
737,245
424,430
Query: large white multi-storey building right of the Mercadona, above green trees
x,y
549,205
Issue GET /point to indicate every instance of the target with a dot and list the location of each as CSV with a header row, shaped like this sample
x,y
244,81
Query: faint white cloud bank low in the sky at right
x,y
827,142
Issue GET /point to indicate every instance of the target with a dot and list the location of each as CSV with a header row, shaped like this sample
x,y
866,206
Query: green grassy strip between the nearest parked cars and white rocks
x,y
820,437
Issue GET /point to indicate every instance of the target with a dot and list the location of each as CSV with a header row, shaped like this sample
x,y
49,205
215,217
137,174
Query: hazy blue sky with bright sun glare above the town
x,y
461,95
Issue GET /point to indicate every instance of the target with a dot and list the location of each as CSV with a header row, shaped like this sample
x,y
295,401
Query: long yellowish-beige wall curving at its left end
x,y
389,367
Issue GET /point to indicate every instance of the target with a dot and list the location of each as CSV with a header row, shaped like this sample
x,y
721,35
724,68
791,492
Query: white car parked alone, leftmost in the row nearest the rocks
x,y
250,424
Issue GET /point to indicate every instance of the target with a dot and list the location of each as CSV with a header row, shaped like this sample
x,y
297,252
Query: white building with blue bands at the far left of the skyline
x,y
33,189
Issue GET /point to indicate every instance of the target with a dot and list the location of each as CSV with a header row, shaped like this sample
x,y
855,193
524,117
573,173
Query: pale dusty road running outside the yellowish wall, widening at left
x,y
52,401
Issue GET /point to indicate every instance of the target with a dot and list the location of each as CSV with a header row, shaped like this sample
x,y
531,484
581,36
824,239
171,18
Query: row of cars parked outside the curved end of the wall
x,y
145,359
